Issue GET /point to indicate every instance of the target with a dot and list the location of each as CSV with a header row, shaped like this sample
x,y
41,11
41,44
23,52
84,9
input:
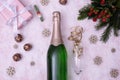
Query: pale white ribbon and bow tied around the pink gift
x,y
13,21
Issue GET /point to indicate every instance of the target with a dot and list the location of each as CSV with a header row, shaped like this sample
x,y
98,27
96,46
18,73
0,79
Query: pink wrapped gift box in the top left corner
x,y
7,11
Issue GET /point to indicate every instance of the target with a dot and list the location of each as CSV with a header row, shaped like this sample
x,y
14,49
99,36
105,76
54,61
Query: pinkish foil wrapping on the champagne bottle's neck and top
x,y
56,35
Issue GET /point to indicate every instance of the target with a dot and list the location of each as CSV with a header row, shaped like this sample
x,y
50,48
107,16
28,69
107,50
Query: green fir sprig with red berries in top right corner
x,y
108,13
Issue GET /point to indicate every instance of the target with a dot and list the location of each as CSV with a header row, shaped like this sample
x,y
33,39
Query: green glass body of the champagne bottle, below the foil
x,y
57,63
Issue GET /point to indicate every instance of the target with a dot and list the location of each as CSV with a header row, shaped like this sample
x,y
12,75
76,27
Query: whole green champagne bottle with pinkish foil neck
x,y
57,55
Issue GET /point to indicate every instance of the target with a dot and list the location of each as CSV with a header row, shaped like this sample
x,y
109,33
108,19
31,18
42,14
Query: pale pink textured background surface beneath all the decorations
x,y
33,34
